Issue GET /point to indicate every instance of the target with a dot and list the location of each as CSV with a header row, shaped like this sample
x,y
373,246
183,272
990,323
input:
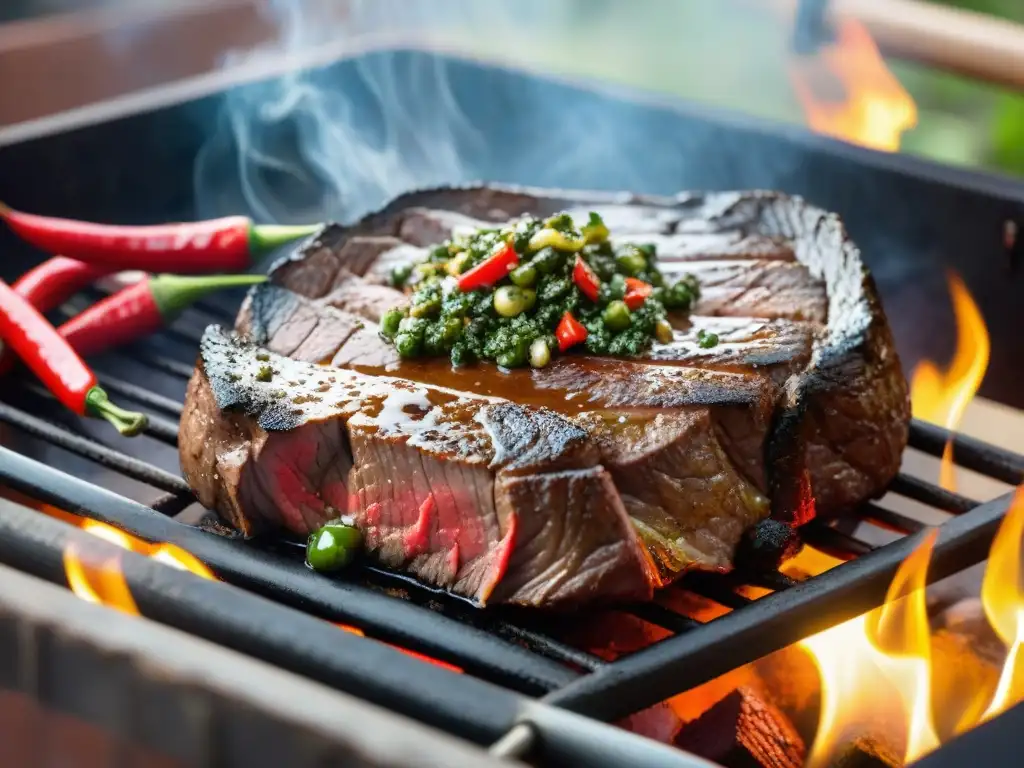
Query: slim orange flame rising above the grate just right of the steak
x,y
943,397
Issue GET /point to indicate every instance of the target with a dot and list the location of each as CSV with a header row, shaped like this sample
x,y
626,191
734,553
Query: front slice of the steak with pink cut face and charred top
x,y
443,485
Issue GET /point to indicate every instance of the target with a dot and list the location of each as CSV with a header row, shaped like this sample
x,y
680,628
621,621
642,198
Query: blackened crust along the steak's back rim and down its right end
x,y
844,419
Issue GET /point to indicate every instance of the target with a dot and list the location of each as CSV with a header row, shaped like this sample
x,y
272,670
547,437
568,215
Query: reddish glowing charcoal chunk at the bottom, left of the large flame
x,y
744,731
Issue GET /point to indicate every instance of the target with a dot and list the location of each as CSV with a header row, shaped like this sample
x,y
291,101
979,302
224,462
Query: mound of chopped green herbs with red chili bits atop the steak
x,y
510,319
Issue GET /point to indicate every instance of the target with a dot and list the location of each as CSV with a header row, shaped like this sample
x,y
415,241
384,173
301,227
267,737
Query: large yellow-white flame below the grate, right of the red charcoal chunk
x,y
877,668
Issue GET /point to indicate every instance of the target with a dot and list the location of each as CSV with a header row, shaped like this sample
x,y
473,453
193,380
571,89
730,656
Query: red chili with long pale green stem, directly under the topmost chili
x,y
142,310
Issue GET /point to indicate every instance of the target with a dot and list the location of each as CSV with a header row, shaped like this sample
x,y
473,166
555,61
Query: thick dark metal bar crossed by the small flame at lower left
x,y
277,634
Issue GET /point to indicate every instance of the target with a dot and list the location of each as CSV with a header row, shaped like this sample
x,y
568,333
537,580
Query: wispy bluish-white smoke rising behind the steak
x,y
393,114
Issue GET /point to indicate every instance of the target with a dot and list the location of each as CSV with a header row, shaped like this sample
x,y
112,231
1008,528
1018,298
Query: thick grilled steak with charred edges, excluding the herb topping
x,y
593,479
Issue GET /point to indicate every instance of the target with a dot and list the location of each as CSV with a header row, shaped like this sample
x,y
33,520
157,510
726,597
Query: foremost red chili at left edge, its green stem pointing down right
x,y
53,360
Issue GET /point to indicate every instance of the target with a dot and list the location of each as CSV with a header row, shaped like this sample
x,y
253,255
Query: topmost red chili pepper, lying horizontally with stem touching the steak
x,y
216,246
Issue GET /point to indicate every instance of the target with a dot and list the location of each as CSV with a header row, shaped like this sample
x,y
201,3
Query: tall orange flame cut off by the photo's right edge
x,y
1003,596
